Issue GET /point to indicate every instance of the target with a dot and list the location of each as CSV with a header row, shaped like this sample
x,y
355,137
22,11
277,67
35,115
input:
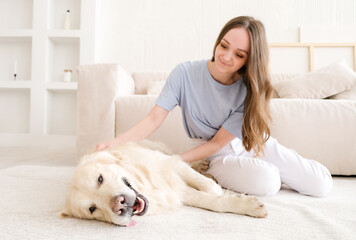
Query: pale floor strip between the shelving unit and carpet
x,y
14,156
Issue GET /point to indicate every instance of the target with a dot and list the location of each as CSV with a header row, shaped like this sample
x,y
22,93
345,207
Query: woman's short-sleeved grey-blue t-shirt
x,y
206,104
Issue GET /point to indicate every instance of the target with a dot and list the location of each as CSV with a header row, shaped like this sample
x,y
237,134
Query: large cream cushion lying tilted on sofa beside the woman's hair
x,y
321,83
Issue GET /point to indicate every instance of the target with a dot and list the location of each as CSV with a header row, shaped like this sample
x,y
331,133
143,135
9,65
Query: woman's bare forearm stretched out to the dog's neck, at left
x,y
142,129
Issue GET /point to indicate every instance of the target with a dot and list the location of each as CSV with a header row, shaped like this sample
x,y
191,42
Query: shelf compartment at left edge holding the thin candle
x,y
15,49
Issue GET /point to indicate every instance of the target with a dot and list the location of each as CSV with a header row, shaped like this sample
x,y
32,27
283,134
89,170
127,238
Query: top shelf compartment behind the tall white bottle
x,y
57,11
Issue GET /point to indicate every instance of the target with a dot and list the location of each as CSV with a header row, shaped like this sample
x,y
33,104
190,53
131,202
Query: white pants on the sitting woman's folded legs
x,y
236,169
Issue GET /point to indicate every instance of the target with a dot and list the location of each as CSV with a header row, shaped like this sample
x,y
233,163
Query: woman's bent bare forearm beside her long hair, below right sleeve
x,y
221,138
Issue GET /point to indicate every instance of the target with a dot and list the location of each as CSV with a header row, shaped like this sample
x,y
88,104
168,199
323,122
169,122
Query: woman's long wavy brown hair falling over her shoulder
x,y
256,116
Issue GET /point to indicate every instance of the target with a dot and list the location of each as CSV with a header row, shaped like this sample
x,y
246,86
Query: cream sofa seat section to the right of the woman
x,y
323,130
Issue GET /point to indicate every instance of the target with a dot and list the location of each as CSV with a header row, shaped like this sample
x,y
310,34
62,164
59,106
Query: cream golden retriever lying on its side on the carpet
x,y
116,184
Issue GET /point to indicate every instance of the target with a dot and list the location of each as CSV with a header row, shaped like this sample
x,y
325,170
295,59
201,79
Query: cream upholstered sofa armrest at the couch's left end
x,y
98,87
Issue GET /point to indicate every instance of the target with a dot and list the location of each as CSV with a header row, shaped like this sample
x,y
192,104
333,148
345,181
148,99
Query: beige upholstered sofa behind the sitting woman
x,y
110,101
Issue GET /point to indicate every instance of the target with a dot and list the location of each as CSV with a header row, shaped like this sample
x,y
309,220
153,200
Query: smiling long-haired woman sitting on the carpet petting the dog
x,y
225,108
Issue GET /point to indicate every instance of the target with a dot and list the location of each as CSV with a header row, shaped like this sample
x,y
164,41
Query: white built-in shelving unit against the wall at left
x,y
38,107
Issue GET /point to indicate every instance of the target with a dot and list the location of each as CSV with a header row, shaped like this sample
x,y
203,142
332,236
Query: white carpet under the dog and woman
x,y
31,196
